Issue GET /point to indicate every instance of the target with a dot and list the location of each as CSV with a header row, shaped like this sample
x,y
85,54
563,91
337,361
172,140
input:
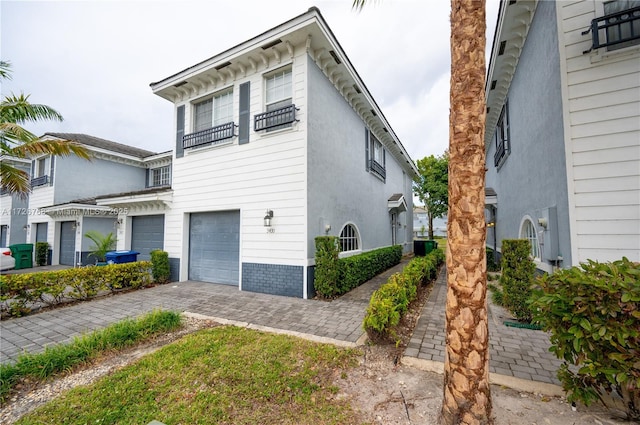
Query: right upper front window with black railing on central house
x,y
280,110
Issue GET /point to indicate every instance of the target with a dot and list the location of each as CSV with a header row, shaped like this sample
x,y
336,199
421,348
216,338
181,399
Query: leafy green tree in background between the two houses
x,y
431,186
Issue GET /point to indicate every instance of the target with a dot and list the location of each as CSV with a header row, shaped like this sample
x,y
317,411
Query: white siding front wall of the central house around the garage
x,y
266,173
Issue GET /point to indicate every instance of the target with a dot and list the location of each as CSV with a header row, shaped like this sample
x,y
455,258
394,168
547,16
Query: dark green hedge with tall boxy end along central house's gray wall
x,y
336,276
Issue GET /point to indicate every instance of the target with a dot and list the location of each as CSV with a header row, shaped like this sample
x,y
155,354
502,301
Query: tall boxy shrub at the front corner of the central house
x,y
327,270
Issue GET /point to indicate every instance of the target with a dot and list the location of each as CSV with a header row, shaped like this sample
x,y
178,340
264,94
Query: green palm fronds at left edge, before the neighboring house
x,y
17,142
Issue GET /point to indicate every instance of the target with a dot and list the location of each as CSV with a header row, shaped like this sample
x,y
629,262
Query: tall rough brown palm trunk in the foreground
x,y
467,397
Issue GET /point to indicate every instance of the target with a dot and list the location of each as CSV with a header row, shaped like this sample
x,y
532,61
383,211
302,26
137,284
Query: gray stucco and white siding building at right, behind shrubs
x,y
563,130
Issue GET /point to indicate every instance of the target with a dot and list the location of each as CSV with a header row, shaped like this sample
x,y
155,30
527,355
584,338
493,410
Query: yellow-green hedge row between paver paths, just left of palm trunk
x,y
389,303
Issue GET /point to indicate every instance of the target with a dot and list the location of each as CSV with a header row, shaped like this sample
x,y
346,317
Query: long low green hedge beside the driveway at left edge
x,y
20,293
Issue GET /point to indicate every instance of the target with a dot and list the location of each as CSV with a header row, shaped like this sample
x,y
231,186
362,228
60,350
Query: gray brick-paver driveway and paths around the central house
x,y
519,357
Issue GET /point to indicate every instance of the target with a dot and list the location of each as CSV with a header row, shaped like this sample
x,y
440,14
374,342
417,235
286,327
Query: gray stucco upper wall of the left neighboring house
x,y
76,178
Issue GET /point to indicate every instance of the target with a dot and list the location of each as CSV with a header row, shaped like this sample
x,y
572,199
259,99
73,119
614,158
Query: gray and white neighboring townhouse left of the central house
x,y
69,198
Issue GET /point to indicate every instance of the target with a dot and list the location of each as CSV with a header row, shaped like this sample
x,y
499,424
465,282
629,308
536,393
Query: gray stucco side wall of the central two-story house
x,y
341,190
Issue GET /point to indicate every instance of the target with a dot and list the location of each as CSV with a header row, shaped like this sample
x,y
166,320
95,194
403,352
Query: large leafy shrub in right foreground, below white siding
x,y
593,316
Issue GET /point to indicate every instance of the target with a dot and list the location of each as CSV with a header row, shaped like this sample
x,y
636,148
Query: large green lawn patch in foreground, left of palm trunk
x,y
223,375
